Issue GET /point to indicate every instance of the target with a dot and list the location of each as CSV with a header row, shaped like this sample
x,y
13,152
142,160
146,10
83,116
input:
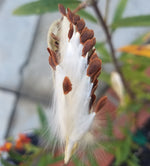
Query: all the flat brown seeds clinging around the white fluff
x,y
88,41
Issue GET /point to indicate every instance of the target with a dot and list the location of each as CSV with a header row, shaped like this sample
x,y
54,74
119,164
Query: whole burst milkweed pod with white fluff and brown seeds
x,y
76,68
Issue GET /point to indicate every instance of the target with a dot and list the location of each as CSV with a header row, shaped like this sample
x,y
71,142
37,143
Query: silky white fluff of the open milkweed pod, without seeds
x,y
70,119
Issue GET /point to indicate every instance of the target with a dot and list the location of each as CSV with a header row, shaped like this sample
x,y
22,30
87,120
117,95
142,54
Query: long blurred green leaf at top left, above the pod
x,y
40,7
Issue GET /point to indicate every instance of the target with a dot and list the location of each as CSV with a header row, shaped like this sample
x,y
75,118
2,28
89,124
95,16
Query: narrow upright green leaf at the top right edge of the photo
x,y
119,10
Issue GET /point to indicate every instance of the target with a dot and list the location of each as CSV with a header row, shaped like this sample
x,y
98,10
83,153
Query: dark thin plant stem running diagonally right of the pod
x,y
108,36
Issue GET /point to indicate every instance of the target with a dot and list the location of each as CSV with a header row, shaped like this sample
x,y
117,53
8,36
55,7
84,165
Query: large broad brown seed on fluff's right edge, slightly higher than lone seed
x,y
94,67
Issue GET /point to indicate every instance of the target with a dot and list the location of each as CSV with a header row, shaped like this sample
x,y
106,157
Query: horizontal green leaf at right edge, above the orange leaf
x,y
135,21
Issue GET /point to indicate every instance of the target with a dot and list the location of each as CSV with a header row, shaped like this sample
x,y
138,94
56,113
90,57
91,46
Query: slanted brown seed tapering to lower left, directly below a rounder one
x,y
88,45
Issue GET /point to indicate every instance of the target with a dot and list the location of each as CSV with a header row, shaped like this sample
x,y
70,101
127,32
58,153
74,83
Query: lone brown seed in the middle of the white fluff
x,y
67,85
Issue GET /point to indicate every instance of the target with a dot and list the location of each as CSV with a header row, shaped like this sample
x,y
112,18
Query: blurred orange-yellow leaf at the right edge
x,y
141,50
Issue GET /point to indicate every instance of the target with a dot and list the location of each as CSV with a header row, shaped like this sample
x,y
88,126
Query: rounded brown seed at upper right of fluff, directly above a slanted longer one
x,y
86,34
